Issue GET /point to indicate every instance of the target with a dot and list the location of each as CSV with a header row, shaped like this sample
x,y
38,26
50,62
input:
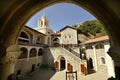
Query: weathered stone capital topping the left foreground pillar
x,y
13,53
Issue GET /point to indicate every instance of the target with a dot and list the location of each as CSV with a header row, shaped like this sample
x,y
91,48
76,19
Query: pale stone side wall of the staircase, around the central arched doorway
x,y
53,54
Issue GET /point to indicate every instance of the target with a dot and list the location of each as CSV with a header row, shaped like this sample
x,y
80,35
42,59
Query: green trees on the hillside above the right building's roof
x,y
90,28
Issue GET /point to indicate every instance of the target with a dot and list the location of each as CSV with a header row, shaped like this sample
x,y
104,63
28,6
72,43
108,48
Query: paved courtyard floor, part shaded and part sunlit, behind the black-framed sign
x,y
46,74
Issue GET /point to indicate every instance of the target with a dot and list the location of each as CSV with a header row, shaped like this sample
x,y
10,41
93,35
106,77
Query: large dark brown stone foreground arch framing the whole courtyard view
x,y
15,14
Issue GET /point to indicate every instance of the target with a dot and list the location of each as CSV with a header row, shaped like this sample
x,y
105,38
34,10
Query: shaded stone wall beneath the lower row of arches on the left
x,y
28,65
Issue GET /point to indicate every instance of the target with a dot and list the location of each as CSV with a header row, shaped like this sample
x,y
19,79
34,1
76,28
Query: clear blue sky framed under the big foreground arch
x,y
61,15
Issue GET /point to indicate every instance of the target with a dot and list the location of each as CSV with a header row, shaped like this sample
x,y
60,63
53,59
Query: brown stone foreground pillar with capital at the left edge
x,y
8,61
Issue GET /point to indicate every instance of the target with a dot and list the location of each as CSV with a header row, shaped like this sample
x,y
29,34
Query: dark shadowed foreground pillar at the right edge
x,y
114,52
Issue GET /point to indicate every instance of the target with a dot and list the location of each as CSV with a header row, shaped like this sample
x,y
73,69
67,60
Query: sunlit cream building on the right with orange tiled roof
x,y
95,51
